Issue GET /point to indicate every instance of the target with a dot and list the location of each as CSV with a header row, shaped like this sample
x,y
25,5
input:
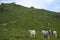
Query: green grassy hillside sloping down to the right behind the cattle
x,y
15,20
